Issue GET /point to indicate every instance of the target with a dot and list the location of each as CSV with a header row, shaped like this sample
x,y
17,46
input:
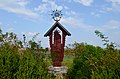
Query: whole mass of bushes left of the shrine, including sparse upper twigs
x,y
17,62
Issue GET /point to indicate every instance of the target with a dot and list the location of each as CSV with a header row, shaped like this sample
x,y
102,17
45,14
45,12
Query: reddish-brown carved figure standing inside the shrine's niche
x,y
57,54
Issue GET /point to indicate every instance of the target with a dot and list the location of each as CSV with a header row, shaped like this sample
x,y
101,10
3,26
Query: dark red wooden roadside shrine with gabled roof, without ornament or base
x,y
57,42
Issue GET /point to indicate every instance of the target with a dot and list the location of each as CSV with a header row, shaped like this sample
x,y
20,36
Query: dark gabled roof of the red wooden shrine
x,y
57,24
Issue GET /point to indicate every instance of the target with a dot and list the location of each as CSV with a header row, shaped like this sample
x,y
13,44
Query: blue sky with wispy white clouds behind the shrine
x,y
80,17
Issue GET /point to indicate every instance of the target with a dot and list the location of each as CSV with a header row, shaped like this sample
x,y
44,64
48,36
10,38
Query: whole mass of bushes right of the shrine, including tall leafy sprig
x,y
92,62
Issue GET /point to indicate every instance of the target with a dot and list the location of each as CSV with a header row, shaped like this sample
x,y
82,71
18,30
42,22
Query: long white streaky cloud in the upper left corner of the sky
x,y
17,7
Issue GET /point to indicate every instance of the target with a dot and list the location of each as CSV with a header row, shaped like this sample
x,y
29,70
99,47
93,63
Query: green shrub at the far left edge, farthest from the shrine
x,y
9,62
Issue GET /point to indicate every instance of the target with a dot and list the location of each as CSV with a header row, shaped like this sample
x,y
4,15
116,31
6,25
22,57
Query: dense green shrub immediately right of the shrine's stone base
x,y
85,57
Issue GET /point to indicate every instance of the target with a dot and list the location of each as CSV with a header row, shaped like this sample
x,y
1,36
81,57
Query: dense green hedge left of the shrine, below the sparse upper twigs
x,y
25,65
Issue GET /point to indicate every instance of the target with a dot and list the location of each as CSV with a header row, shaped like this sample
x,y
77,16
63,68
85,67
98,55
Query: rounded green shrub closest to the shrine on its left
x,y
32,66
